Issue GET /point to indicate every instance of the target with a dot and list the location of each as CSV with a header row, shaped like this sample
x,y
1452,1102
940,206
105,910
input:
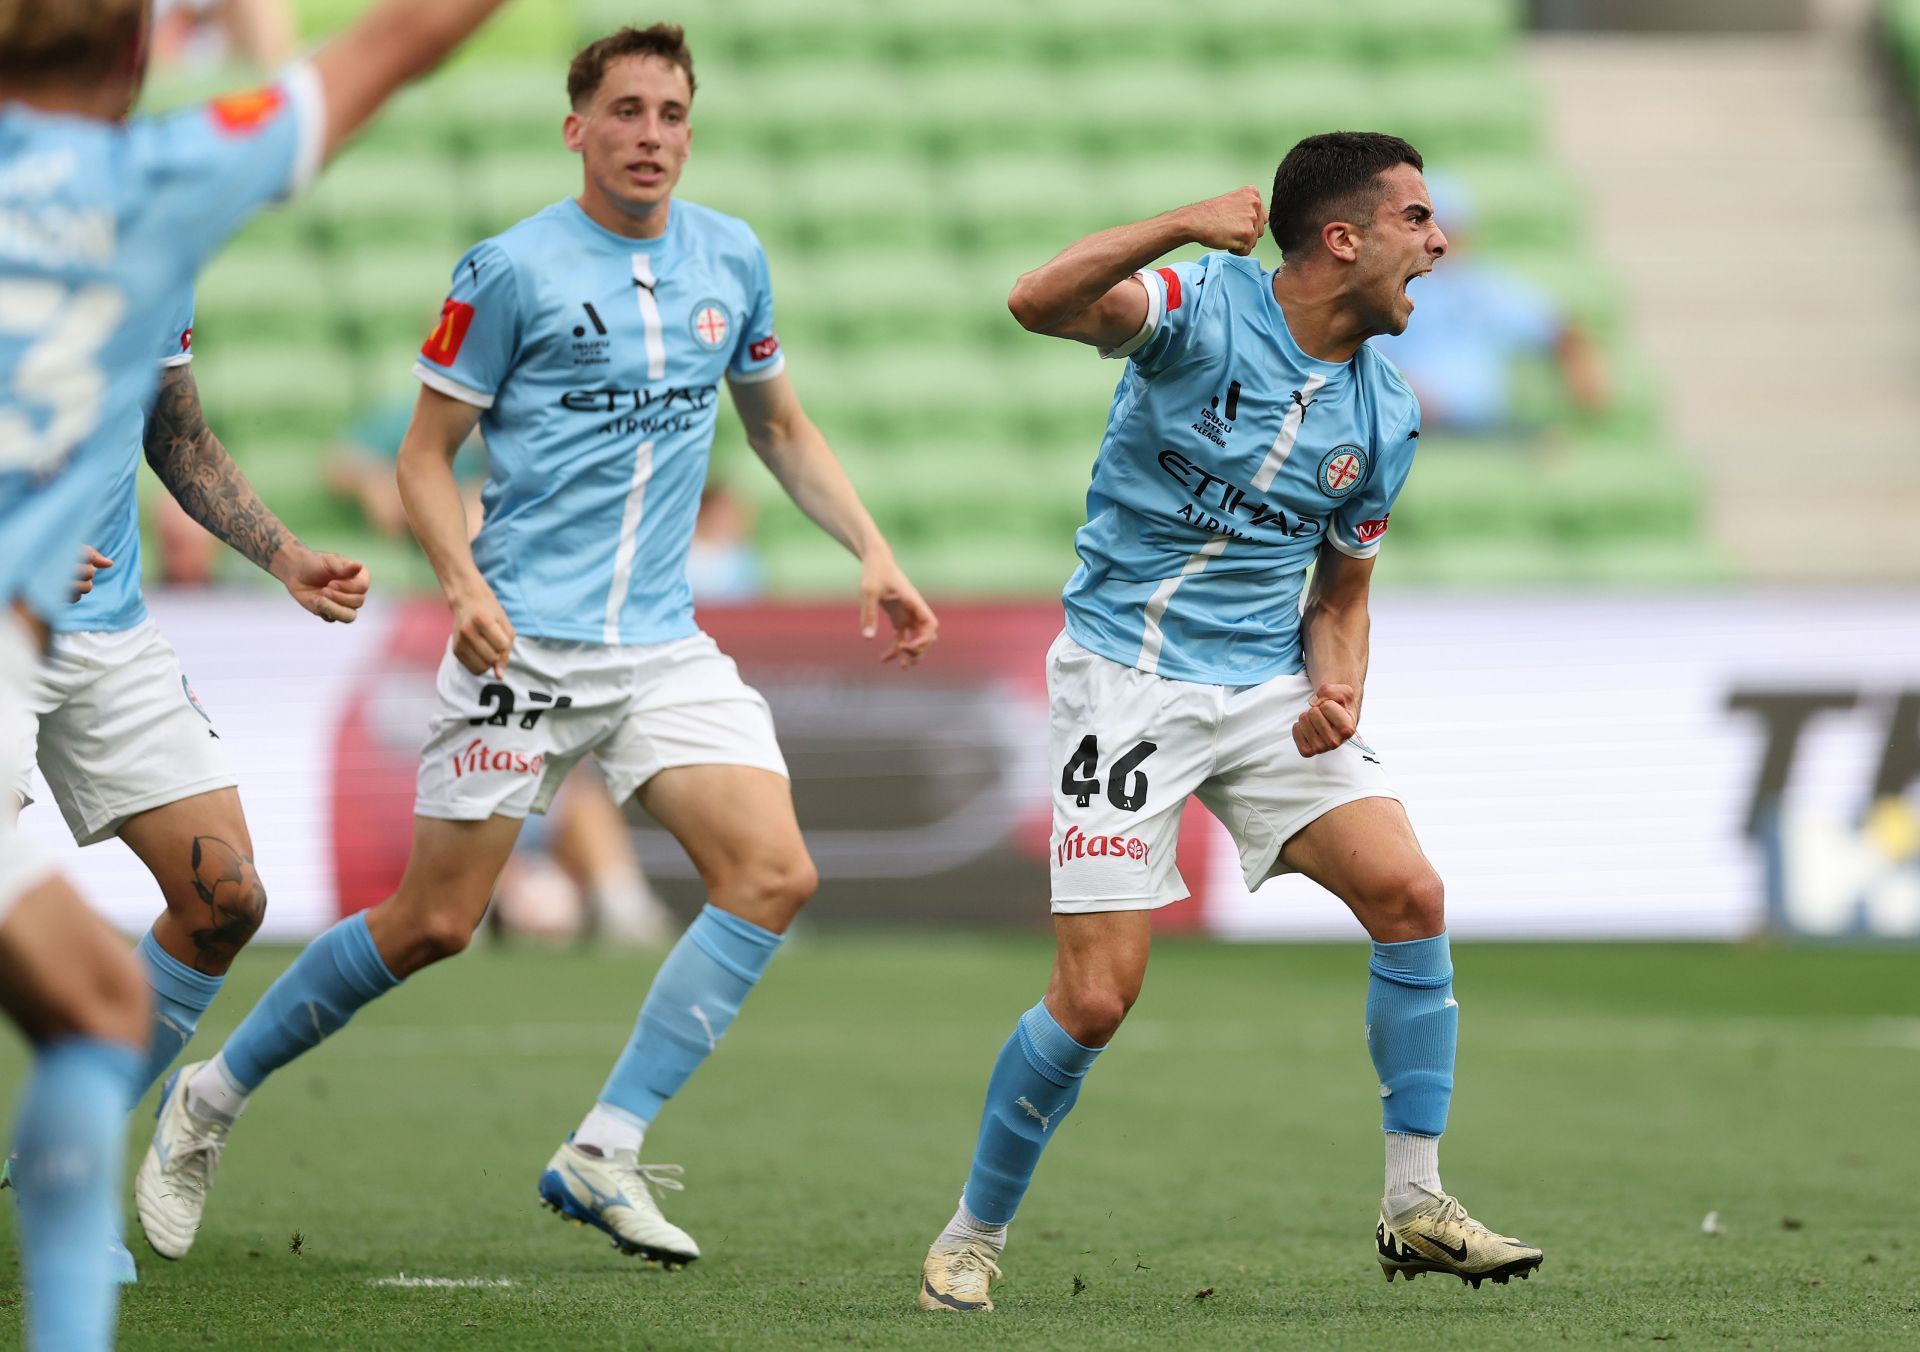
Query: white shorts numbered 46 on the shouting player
x,y
1130,750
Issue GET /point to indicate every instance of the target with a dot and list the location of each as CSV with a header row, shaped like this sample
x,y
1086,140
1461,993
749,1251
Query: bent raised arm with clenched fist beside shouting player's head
x,y
1088,293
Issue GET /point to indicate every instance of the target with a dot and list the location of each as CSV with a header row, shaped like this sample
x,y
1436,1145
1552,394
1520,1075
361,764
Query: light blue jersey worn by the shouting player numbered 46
x,y
1230,456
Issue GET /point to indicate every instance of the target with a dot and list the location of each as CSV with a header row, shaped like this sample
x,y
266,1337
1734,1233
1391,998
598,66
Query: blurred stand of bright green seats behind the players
x,y
903,164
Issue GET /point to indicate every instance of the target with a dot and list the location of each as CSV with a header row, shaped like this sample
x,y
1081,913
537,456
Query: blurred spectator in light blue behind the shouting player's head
x,y
1474,322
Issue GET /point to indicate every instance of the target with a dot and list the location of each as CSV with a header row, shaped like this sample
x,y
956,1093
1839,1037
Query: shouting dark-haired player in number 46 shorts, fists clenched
x,y
1253,435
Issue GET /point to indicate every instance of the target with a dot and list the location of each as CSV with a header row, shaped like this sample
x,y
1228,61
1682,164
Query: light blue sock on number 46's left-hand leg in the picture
x,y
1034,1084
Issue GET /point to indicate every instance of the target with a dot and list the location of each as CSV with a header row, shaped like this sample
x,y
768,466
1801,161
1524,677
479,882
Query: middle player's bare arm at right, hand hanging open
x,y
805,466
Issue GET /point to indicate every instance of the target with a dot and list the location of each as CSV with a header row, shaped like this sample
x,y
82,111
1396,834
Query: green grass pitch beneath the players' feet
x,y
1214,1188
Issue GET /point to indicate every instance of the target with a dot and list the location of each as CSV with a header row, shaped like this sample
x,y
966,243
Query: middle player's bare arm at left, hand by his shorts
x,y
483,635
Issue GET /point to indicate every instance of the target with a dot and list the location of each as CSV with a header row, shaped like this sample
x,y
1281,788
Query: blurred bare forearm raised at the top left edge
x,y
398,41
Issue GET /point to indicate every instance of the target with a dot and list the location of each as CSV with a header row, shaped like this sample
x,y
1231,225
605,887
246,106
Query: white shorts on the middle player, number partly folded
x,y
500,748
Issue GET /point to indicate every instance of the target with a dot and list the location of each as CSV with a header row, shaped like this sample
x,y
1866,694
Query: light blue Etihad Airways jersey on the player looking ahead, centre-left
x,y
598,362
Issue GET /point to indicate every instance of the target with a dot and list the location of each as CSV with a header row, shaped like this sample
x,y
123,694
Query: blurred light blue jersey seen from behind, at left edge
x,y
101,229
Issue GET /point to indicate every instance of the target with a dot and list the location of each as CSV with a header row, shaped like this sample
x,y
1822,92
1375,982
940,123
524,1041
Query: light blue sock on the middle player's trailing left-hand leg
x,y
312,1002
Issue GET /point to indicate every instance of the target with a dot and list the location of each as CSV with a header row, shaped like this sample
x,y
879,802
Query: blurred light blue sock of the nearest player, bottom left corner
x,y
72,1136
